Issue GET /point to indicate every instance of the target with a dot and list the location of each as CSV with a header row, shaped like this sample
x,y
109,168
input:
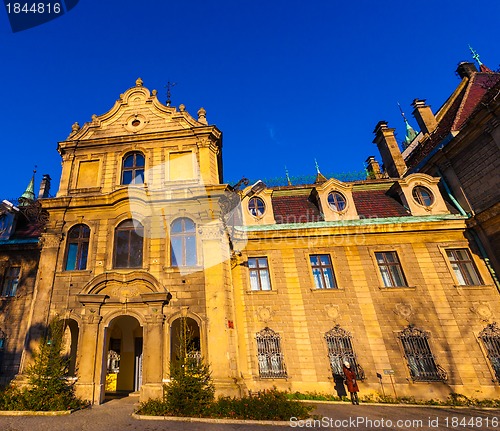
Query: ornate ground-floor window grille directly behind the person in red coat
x,y
340,349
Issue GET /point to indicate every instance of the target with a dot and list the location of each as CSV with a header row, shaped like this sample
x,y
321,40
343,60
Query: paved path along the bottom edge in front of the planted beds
x,y
115,415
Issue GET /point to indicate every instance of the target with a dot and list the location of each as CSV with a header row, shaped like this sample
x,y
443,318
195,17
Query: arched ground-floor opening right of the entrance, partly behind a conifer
x,y
185,328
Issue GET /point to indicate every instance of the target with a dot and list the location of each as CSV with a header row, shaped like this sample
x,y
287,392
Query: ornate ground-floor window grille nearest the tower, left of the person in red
x,y
271,361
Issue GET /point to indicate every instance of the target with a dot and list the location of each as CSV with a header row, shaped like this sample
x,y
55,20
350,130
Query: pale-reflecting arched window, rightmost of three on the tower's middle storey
x,y
183,242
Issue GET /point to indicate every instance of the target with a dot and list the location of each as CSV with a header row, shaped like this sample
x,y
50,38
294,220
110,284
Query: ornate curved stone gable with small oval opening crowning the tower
x,y
137,111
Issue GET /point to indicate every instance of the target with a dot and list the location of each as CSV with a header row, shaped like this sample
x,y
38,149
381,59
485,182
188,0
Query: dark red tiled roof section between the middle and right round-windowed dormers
x,y
376,204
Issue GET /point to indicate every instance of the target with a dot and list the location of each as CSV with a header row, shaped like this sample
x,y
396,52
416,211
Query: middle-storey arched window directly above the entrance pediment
x,y
129,236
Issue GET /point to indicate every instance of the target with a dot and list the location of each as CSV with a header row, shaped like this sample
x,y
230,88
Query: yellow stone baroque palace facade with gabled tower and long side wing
x,y
278,285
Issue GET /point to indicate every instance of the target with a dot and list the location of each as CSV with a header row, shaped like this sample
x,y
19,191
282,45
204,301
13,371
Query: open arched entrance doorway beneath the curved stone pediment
x,y
123,358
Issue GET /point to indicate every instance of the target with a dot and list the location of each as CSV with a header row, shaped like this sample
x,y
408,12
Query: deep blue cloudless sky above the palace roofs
x,y
287,82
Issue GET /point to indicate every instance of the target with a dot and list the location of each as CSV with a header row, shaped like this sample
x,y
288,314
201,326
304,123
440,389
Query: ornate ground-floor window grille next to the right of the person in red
x,y
421,362
